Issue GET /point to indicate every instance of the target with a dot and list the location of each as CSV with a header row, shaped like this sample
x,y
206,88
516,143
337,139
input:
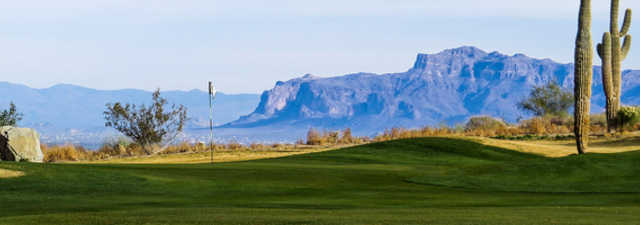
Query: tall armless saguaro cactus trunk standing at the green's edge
x,y
583,76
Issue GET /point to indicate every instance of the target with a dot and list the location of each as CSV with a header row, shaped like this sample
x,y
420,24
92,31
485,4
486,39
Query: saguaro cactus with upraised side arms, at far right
x,y
612,54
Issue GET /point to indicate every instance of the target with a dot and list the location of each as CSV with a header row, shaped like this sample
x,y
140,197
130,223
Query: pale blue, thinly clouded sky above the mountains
x,y
246,46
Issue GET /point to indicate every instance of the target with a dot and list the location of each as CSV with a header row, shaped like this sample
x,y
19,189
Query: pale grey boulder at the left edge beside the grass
x,y
17,144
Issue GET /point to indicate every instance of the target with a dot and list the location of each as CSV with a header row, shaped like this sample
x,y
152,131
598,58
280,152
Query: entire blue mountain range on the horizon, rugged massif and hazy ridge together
x,y
442,88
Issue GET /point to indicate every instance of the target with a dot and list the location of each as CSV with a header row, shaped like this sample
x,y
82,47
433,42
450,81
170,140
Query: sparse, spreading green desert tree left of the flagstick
x,y
147,126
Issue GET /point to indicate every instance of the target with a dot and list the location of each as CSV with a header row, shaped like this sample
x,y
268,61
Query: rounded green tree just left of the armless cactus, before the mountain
x,y
548,100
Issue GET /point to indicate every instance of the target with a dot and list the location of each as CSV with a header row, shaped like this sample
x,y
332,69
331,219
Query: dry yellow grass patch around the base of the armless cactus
x,y
565,148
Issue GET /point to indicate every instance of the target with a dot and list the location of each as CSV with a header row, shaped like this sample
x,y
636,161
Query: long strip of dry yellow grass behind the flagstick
x,y
219,156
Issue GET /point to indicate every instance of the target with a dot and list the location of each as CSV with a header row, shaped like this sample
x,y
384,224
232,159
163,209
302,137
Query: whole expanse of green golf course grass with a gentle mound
x,y
418,181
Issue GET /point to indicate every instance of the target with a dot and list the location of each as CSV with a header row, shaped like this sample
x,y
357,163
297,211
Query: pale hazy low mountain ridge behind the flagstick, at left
x,y
65,109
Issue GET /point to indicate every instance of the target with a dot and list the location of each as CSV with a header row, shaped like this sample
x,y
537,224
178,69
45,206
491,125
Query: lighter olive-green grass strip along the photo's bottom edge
x,y
252,216
